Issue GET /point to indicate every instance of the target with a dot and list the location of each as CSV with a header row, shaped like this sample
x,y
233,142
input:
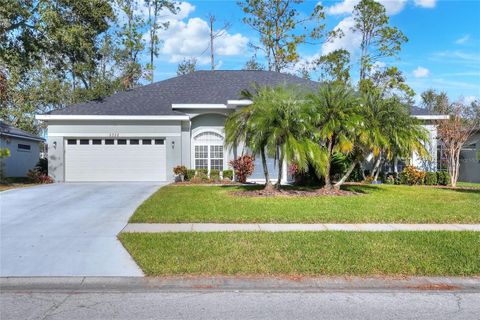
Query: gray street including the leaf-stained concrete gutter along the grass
x,y
236,298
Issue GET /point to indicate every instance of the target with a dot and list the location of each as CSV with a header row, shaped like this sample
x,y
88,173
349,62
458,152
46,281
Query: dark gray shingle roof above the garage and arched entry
x,y
199,87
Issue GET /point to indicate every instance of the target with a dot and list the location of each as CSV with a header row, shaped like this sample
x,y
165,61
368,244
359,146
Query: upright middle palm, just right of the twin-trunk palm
x,y
334,111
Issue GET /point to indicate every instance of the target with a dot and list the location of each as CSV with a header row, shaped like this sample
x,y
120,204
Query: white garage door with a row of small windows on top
x,y
119,159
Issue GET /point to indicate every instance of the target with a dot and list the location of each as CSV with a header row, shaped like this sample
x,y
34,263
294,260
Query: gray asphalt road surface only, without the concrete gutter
x,y
240,305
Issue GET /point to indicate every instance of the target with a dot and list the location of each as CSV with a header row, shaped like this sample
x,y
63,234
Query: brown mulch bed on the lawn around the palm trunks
x,y
294,193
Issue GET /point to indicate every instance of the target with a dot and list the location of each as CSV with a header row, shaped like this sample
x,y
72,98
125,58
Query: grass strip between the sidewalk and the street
x,y
306,253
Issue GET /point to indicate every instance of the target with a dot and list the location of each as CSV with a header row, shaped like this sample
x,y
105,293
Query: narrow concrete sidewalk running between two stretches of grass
x,y
228,227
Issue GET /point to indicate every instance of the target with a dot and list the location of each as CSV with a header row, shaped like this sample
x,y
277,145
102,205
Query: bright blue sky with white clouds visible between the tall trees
x,y
443,51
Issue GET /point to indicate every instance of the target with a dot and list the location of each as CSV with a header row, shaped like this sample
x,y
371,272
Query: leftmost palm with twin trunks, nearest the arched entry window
x,y
275,124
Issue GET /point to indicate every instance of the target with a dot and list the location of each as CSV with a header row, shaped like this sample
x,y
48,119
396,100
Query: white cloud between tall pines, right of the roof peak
x,y
350,41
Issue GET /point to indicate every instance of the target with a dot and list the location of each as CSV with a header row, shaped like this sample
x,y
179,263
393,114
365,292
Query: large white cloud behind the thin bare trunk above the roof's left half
x,y
190,38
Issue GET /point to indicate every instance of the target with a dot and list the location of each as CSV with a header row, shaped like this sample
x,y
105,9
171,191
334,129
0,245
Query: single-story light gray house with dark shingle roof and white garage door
x,y
141,134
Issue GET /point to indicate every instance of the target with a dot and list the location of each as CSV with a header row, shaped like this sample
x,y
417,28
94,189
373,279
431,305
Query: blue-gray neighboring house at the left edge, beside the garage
x,y
24,150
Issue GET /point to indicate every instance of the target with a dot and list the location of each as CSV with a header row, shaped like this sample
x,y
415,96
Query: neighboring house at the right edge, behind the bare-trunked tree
x,y
470,159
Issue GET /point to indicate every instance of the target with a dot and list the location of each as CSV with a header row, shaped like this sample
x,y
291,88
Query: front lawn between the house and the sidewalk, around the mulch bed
x,y
379,204
